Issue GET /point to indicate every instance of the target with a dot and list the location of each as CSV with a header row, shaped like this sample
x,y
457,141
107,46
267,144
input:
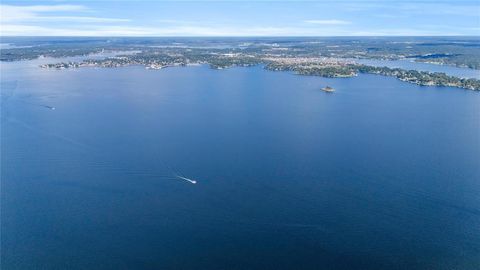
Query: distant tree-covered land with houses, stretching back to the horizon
x,y
327,57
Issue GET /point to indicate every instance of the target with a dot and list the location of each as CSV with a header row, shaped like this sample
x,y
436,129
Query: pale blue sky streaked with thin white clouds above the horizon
x,y
240,18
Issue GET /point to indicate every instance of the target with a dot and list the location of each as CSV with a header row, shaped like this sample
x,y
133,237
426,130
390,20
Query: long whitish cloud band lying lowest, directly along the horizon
x,y
191,30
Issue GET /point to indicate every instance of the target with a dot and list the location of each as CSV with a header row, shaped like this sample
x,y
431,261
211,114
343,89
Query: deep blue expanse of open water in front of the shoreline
x,y
381,174
